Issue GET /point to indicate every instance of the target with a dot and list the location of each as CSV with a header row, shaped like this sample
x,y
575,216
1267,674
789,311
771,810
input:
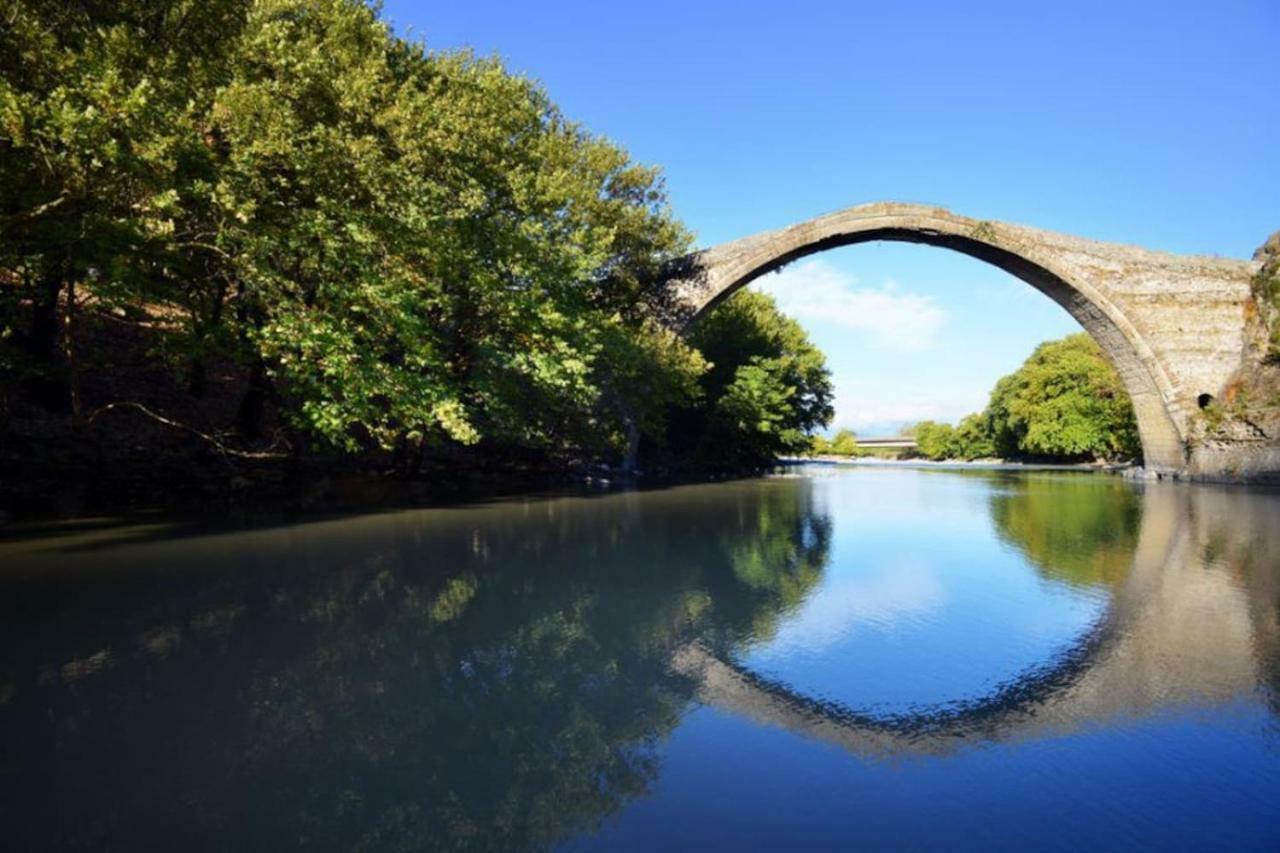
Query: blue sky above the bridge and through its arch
x,y
1133,122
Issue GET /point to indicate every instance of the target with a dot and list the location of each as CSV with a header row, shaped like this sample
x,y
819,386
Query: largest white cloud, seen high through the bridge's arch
x,y
815,290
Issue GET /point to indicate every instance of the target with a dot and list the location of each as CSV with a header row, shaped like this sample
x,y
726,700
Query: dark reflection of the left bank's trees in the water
x,y
369,699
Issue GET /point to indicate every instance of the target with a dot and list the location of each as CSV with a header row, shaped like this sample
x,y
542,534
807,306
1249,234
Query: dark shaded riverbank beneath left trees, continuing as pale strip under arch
x,y
56,476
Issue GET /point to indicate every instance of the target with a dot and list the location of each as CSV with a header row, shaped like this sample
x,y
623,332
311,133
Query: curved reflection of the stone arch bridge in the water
x,y
1176,635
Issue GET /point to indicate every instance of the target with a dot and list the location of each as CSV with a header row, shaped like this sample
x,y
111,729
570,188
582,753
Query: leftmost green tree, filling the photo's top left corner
x,y
102,134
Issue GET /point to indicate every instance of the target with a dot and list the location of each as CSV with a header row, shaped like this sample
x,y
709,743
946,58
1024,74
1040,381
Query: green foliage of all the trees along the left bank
x,y
401,249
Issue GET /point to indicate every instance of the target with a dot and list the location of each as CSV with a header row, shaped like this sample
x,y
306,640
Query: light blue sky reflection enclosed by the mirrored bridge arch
x,y
921,603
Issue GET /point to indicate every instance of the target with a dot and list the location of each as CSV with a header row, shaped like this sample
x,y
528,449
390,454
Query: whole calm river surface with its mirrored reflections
x,y
834,659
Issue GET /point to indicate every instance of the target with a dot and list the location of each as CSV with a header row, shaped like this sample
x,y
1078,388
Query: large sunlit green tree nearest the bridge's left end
x,y
428,245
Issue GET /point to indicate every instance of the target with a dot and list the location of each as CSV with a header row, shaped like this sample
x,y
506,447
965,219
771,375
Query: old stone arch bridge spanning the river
x,y
1173,326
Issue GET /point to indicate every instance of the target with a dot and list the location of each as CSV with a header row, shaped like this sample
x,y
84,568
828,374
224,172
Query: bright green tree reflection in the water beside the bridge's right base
x,y
1077,530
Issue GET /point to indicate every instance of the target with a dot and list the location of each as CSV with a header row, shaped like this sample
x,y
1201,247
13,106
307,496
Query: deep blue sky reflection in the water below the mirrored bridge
x,y
1187,784
